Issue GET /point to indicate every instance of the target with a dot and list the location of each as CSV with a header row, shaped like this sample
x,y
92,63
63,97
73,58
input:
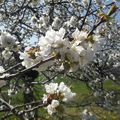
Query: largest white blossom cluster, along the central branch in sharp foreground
x,y
72,54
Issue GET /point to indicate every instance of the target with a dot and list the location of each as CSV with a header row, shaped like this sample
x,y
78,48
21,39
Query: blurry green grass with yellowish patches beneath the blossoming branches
x,y
72,110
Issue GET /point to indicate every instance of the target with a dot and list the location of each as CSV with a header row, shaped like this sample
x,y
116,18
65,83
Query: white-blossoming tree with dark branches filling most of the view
x,y
42,41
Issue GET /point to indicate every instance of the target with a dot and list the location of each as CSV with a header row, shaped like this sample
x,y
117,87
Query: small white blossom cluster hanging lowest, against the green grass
x,y
55,94
